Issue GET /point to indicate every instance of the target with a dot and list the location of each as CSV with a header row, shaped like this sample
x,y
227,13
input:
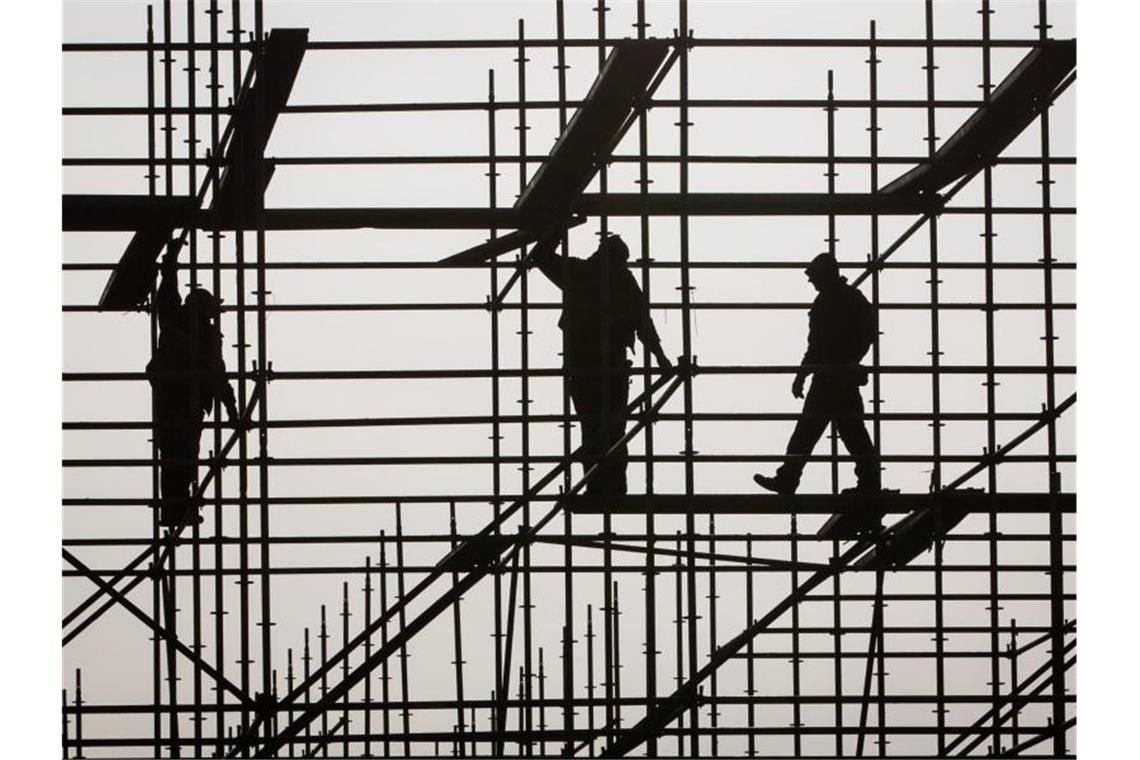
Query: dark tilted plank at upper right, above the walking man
x,y
1016,102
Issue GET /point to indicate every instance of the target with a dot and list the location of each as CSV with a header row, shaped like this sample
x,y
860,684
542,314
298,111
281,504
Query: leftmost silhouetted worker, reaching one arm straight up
x,y
188,375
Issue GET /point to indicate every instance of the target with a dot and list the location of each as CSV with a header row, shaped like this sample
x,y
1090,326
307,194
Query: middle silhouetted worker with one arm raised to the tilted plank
x,y
602,310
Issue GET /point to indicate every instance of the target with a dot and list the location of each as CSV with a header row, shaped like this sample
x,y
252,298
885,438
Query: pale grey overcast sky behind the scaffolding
x,y
116,653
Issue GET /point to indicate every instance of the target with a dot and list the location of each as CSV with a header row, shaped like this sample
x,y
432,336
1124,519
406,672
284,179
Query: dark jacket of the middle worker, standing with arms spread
x,y
604,310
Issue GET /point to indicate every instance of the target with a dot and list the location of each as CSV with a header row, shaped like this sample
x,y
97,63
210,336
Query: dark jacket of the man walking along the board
x,y
842,329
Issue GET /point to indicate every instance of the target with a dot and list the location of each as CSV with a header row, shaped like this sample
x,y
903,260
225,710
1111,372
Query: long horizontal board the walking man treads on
x,y
775,504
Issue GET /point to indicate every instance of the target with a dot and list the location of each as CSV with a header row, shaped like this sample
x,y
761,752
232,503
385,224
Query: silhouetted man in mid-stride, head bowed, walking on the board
x,y
842,328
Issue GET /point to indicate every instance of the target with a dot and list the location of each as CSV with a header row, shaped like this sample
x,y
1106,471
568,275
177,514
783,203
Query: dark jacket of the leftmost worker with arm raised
x,y
188,370
